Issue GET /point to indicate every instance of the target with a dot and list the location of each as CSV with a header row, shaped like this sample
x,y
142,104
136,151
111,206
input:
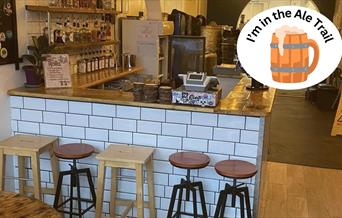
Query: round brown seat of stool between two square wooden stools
x,y
74,151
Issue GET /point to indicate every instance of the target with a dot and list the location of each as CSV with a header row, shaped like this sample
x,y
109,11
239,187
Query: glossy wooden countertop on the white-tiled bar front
x,y
239,101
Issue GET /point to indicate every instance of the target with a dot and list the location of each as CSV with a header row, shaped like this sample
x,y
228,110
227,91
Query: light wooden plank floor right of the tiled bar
x,y
300,191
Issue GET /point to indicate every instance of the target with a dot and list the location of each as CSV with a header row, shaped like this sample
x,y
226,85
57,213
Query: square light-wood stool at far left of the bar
x,y
31,146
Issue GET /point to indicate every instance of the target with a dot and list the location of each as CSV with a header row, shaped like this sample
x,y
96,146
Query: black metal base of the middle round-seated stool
x,y
189,187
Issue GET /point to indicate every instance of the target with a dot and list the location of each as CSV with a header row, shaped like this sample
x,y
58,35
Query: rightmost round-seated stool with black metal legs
x,y
234,169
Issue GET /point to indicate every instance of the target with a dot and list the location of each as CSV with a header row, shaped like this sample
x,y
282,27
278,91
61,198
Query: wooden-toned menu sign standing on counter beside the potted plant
x,y
57,71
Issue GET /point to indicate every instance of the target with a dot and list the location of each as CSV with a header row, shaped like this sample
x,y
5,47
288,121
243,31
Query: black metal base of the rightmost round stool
x,y
235,190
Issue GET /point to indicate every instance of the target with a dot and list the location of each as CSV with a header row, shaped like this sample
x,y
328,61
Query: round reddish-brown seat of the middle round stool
x,y
189,160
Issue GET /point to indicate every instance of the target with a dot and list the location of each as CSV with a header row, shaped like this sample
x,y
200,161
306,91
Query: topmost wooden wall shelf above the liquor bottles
x,y
69,10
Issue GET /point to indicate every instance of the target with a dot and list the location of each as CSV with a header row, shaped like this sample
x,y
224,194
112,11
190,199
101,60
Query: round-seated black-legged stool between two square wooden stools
x,y
74,152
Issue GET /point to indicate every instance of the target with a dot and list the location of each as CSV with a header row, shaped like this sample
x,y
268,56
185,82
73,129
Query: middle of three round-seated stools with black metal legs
x,y
188,161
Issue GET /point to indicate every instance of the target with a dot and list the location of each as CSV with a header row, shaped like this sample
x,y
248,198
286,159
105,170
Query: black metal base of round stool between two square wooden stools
x,y
74,182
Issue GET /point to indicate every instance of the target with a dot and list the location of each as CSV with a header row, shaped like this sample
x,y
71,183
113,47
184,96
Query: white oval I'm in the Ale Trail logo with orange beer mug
x,y
289,47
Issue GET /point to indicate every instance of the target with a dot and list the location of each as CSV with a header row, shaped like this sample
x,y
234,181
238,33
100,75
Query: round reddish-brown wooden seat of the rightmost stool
x,y
235,169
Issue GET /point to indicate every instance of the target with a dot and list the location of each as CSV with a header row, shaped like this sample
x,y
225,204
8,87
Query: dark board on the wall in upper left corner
x,y
8,32
